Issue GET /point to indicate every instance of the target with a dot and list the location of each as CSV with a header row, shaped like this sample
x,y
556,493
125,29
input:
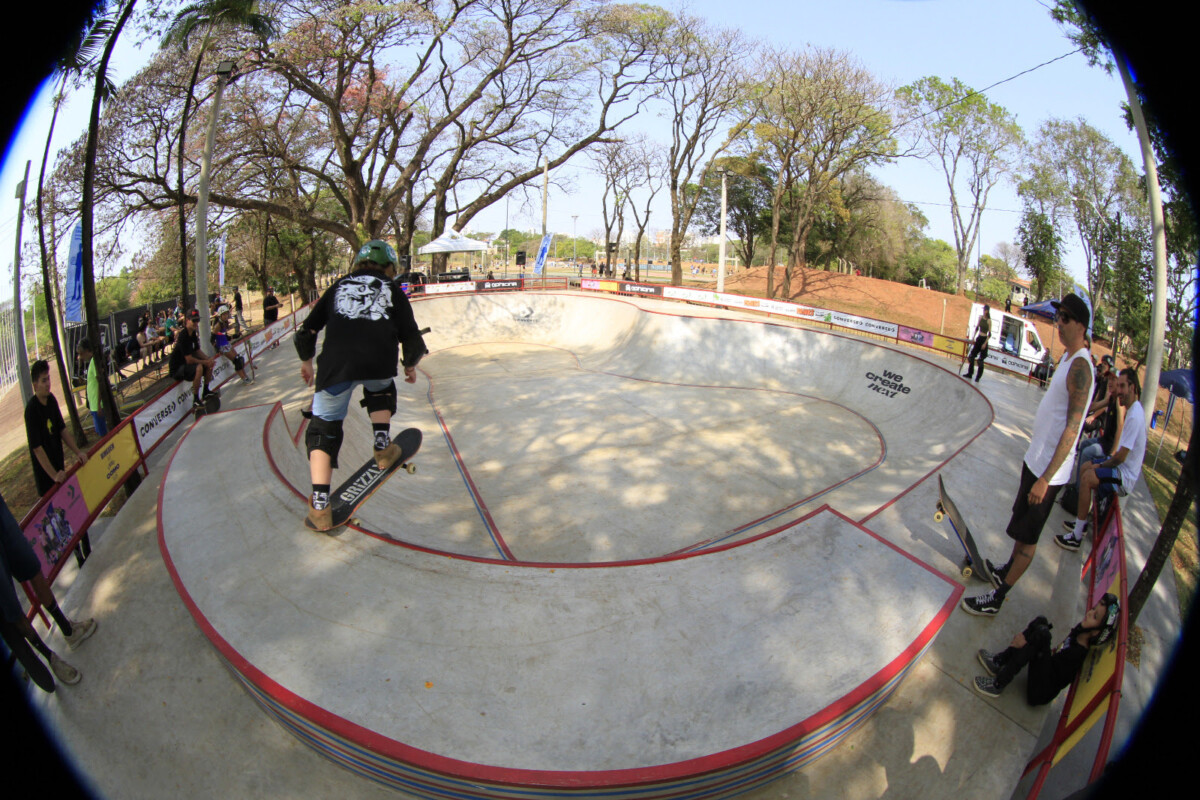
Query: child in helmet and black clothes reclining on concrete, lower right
x,y
1049,672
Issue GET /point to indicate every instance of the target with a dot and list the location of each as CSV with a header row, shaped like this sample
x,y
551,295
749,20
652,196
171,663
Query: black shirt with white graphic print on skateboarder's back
x,y
365,317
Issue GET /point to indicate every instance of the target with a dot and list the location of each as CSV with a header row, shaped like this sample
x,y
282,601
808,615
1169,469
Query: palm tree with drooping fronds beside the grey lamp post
x,y
207,16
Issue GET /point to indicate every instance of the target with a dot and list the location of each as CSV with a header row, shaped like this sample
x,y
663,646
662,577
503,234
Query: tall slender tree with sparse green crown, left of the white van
x,y
974,141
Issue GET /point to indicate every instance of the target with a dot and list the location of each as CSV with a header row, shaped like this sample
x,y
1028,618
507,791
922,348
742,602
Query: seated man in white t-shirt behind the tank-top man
x,y
1118,473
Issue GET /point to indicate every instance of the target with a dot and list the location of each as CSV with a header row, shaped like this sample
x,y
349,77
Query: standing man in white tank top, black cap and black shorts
x,y
1051,459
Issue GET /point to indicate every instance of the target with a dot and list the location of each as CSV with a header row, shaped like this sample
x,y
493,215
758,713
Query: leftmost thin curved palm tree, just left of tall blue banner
x,y
79,56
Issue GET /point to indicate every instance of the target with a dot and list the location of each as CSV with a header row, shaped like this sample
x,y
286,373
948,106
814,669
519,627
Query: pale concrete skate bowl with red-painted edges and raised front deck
x,y
663,651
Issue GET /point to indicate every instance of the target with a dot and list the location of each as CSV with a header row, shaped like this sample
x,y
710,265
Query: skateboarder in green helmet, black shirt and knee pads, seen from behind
x,y
367,321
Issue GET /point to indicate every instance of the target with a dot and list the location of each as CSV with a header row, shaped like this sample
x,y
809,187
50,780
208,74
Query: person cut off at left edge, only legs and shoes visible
x,y
20,563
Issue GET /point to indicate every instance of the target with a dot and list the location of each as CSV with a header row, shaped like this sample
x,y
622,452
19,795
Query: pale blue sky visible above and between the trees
x,y
899,41
